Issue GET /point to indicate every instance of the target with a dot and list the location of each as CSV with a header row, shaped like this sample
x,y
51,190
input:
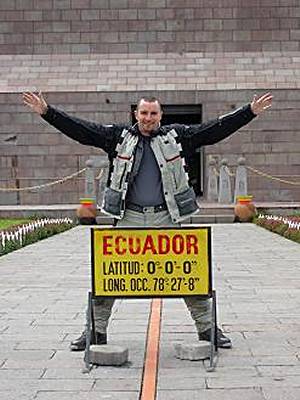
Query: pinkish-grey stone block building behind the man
x,y
95,58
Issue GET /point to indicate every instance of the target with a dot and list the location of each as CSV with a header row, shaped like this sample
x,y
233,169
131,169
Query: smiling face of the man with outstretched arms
x,y
148,116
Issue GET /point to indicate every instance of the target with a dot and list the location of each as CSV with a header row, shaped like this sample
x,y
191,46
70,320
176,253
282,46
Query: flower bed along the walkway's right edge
x,y
289,227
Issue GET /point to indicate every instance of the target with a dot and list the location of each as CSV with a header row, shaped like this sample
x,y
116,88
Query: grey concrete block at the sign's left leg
x,y
108,354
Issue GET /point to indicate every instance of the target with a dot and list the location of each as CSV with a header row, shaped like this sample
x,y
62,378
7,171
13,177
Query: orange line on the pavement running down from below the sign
x,y
148,391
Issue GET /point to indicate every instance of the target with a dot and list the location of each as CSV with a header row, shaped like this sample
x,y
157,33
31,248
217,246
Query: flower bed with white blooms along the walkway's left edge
x,y
21,235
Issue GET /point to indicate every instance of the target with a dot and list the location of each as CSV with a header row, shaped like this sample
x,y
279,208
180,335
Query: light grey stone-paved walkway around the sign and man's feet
x,y
43,291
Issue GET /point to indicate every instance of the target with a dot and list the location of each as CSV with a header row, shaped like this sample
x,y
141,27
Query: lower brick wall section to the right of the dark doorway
x,y
270,143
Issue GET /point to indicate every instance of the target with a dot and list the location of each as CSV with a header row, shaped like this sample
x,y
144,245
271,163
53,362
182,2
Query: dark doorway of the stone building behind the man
x,y
188,115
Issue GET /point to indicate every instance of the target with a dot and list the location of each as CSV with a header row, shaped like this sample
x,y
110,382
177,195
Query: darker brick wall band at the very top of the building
x,y
142,26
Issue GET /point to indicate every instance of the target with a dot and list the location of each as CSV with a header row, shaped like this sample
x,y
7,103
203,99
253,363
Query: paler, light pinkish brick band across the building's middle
x,y
151,71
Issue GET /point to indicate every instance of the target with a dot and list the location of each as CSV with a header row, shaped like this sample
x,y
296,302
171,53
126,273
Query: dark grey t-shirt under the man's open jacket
x,y
146,188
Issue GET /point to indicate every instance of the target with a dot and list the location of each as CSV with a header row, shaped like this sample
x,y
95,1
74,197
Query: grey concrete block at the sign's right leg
x,y
199,350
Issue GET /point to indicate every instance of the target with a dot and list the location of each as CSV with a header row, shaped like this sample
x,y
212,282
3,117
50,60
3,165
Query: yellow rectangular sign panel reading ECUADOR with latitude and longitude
x,y
130,262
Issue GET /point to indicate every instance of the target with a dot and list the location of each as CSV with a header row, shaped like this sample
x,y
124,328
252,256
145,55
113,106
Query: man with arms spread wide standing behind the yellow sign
x,y
148,182
